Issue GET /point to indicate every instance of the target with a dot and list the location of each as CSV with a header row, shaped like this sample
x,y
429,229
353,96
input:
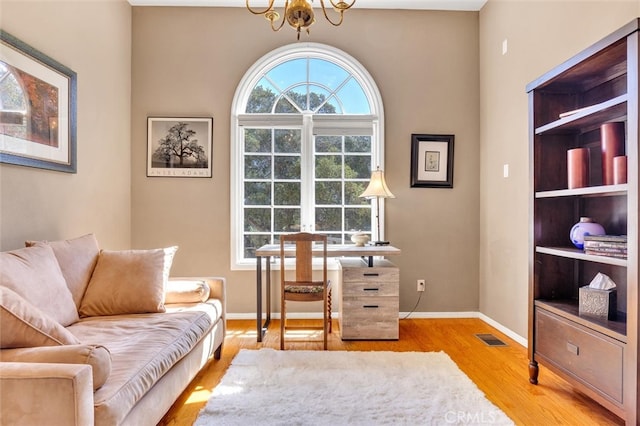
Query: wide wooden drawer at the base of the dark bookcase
x,y
591,357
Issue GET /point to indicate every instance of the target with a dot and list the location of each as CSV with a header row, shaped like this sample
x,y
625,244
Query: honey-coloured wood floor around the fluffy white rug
x,y
500,372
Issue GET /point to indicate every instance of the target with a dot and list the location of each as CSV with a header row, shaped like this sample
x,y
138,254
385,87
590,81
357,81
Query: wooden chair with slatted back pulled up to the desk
x,y
304,288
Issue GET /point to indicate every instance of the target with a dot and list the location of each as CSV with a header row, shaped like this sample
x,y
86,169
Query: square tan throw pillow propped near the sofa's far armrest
x,y
128,282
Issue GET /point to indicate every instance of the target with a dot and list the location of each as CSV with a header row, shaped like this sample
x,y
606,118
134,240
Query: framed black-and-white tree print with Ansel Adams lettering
x,y
179,147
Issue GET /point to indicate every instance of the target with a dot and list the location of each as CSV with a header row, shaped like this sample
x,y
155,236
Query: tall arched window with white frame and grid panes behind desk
x,y
306,132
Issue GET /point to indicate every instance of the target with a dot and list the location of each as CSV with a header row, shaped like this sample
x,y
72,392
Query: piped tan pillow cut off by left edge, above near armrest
x,y
22,325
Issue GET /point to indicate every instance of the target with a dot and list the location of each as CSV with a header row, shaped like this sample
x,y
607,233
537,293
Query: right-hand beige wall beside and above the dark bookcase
x,y
540,35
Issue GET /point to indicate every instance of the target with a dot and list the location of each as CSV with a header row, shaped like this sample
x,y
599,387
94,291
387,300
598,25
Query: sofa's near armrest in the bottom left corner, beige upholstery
x,y
41,393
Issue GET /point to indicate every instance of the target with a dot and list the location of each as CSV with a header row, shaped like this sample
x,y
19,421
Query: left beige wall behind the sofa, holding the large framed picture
x,y
93,39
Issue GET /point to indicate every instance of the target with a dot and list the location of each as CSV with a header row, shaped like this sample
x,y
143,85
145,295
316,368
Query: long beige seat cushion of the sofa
x,y
143,347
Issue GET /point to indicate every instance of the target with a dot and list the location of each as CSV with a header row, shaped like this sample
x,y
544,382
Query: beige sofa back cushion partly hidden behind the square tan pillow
x,y
77,258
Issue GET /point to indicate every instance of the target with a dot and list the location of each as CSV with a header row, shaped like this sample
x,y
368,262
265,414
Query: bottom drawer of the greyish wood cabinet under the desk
x,y
369,318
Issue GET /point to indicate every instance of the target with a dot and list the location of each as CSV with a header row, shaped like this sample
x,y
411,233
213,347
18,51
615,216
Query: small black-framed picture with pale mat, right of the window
x,y
432,161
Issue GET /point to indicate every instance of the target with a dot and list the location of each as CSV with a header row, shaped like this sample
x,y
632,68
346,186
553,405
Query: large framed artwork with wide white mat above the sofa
x,y
37,108
